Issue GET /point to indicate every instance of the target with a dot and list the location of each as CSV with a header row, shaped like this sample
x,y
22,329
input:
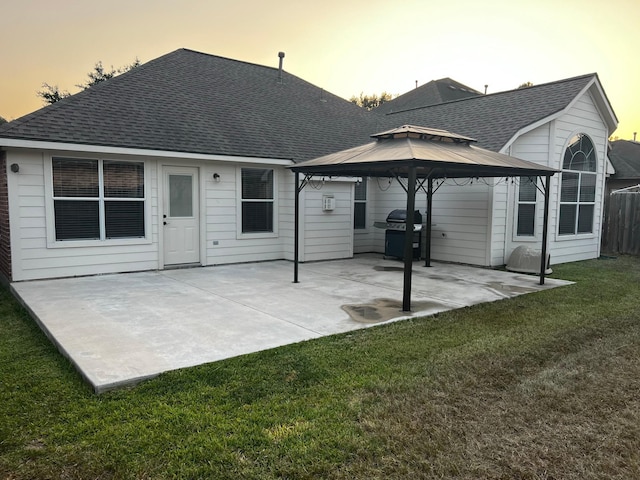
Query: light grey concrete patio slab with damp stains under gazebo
x,y
123,328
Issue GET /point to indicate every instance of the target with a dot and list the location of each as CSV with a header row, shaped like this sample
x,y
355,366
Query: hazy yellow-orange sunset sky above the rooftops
x,y
343,46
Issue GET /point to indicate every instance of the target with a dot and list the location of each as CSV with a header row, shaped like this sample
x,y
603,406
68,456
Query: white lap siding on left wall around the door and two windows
x,y
33,257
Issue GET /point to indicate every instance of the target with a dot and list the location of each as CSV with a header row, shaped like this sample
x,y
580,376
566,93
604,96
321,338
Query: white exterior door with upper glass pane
x,y
181,217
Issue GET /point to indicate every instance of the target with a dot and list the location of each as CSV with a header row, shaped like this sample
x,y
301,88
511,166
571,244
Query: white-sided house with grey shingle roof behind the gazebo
x,y
182,161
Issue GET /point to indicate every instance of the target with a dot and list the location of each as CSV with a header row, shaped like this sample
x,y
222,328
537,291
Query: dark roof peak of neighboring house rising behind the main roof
x,y
431,93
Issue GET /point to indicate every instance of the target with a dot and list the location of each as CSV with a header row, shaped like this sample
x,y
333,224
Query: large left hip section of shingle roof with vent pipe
x,y
188,101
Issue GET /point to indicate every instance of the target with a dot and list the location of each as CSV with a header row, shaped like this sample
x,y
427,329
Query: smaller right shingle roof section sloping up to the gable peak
x,y
494,119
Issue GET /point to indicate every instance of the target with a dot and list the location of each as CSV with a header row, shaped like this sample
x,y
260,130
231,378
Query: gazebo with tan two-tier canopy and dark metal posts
x,y
421,155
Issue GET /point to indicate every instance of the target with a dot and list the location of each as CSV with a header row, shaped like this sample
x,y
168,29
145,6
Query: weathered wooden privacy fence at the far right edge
x,y
622,226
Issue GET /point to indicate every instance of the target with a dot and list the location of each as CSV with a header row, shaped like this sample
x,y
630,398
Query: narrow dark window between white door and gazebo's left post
x,y
257,200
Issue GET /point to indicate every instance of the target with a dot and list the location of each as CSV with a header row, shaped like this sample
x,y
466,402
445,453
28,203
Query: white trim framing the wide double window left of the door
x,y
52,242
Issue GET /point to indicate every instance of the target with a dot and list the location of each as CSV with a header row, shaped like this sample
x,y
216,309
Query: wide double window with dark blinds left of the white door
x,y
98,199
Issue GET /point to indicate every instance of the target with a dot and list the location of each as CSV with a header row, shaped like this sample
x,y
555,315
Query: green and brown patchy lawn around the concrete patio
x,y
543,386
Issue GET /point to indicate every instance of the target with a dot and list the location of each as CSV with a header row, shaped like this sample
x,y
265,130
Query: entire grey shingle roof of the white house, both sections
x,y
192,102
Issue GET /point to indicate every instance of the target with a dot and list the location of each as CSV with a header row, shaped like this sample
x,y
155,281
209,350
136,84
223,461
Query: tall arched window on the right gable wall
x,y
578,187
